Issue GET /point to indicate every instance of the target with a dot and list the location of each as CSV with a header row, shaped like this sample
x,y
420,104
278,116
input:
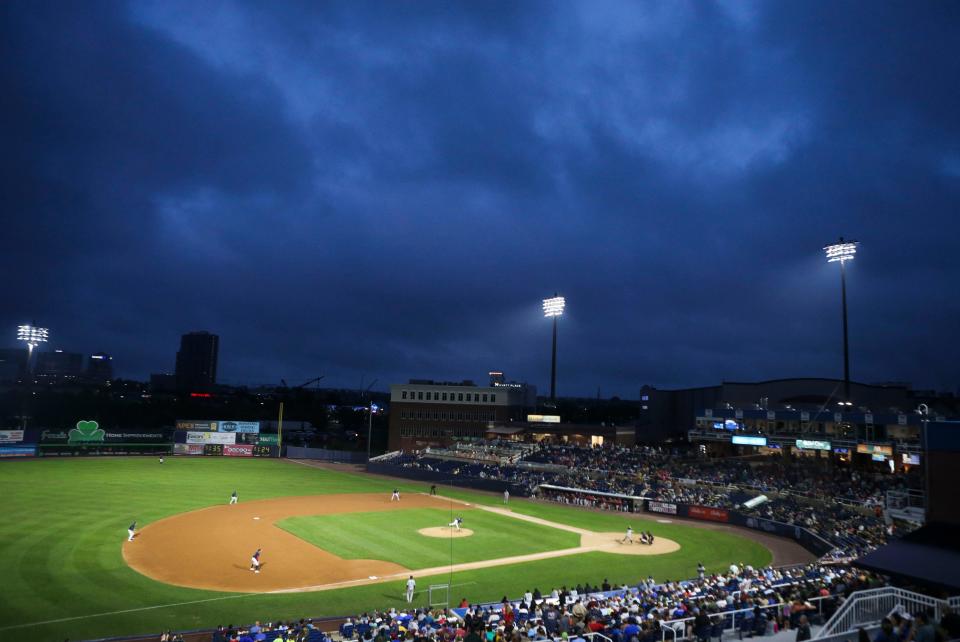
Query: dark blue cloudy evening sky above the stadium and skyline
x,y
387,189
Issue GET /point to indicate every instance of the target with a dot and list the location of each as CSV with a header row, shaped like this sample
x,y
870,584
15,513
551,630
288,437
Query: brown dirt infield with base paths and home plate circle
x,y
211,548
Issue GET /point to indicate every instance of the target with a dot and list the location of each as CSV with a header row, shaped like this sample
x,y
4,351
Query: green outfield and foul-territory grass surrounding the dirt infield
x,y
64,522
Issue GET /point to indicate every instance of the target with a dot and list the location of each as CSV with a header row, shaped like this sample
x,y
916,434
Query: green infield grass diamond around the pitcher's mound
x,y
392,536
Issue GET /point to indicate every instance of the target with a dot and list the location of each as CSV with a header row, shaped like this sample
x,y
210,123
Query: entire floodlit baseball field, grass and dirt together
x,y
333,544
